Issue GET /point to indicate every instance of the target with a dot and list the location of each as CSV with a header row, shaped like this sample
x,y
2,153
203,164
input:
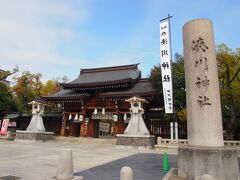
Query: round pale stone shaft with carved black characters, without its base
x,y
202,86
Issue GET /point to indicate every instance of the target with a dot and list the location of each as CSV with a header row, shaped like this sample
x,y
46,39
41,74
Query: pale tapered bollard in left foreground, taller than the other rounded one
x,y
65,165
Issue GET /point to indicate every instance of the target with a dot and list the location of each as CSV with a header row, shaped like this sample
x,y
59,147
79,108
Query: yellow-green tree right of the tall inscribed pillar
x,y
229,78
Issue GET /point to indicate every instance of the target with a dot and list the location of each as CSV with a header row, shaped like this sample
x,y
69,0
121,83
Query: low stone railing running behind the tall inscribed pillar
x,y
175,143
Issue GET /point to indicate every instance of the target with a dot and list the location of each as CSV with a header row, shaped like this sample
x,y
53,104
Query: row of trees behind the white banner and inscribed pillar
x,y
229,79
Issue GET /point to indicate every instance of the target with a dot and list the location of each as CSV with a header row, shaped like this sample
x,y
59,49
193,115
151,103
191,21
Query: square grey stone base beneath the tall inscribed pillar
x,y
221,163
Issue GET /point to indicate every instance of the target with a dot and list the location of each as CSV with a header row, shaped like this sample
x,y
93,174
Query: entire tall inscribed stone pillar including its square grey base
x,y
205,153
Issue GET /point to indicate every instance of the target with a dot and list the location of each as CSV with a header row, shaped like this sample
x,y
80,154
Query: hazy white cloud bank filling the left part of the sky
x,y
31,31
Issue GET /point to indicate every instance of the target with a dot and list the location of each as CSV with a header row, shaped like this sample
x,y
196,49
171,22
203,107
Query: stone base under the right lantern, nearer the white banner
x,y
136,141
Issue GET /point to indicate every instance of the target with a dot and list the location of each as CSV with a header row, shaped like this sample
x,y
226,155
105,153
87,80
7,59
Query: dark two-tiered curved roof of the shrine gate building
x,y
109,82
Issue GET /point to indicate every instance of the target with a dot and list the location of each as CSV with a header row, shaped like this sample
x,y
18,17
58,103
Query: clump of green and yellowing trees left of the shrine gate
x,y
27,87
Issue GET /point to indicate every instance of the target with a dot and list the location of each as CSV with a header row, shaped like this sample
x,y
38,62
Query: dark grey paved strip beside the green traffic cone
x,y
145,166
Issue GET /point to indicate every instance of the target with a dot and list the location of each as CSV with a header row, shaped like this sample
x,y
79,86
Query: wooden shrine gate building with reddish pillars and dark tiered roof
x,y
94,103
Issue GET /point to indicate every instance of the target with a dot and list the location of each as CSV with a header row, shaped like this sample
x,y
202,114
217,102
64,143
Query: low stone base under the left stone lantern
x,y
34,136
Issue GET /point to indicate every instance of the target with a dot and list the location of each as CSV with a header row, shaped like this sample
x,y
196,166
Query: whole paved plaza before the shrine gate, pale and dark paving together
x,y
92,158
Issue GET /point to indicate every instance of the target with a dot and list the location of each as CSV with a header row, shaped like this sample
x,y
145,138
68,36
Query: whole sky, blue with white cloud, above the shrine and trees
x,y
58,38
